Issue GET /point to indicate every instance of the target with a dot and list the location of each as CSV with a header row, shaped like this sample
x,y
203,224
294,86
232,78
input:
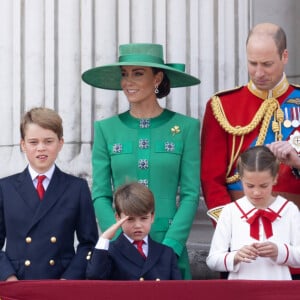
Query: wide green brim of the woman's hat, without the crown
x,y
109,76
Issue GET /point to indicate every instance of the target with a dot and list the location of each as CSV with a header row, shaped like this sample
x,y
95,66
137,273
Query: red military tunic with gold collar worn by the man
x,y
239,106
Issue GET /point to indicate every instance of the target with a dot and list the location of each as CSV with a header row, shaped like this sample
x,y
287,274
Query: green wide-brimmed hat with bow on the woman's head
x,y
146,55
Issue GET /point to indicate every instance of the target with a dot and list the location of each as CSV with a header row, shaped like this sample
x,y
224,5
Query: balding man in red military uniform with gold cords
x,y
265,111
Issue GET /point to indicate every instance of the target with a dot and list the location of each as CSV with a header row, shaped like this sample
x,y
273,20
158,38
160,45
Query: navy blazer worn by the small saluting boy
x,y
122,261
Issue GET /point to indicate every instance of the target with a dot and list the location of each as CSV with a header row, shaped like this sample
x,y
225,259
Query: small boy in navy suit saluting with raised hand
x,y
120,259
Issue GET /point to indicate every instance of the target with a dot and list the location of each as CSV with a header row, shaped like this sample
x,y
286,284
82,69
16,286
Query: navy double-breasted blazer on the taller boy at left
x,y
40,234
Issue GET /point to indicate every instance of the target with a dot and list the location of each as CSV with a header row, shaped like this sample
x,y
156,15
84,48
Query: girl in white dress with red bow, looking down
x,y
257,236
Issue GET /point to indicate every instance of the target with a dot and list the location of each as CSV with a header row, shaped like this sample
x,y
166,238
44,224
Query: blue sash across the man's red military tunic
x,y
270,137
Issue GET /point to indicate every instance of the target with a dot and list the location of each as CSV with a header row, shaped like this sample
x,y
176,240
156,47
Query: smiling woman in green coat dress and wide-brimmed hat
x,y
148,144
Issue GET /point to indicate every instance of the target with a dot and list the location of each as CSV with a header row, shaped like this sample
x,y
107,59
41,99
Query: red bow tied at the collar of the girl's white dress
x,y
267,218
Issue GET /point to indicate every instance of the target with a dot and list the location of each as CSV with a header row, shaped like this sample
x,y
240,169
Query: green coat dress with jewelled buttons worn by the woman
x,y
162,153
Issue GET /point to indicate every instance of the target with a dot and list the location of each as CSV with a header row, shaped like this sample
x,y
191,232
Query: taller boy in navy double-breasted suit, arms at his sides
x,y
39,225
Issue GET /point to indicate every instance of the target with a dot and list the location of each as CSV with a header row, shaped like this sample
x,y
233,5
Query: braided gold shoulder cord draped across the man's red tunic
x,y
269,107
